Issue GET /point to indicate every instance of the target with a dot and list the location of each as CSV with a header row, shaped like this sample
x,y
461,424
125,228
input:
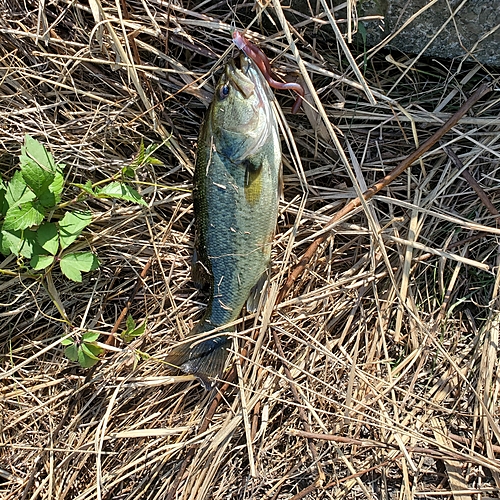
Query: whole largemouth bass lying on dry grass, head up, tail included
x,y
236,184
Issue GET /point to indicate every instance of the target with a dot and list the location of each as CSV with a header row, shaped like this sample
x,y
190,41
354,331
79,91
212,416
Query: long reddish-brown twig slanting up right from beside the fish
x,y
378,186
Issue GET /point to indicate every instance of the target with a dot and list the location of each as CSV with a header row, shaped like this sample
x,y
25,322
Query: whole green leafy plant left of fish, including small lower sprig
x,y
40,229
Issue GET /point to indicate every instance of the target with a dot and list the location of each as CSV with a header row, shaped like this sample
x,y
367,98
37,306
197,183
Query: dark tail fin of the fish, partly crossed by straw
x,y
205,359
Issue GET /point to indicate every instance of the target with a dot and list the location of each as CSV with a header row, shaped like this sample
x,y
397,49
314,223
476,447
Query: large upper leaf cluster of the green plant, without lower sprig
x,y
35,225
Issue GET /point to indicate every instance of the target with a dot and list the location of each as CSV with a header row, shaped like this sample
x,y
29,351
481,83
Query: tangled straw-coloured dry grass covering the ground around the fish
x,y
389,338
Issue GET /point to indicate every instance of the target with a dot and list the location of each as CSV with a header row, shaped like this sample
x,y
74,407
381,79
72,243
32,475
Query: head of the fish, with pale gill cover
x,y
241,113
